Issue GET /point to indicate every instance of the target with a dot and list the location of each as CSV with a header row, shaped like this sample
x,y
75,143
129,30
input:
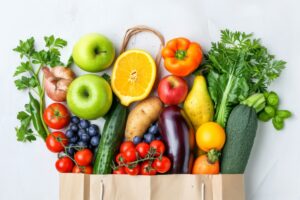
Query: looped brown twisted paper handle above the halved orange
x,y
141,28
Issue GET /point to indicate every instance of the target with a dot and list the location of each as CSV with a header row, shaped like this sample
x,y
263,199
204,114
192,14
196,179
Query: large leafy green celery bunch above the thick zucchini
x,y
239,65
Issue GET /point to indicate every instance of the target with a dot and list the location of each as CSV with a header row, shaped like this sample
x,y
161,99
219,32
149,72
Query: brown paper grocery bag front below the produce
x,y
160,187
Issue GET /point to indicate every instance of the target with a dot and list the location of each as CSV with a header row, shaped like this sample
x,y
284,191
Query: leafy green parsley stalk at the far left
x,y
30,67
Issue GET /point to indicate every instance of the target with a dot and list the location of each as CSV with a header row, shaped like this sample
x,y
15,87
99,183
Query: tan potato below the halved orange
x,y
141,117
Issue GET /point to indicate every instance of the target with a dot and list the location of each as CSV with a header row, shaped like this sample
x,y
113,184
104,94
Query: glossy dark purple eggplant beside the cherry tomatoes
x,y
175,134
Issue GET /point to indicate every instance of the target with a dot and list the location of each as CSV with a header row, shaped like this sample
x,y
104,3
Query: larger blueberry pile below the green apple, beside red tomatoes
x,y
82,134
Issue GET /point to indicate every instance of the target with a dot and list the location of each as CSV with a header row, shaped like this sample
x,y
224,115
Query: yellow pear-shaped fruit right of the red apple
x,y
198,105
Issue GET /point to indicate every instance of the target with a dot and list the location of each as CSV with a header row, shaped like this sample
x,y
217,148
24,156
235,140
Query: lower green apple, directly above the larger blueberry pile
x,y
89,96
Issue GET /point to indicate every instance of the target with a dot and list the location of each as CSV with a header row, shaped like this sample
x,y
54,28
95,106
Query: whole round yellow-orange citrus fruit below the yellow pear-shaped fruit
x,y
209,136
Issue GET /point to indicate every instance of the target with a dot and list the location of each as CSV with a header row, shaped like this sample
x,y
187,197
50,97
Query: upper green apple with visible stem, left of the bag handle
x,y
93,52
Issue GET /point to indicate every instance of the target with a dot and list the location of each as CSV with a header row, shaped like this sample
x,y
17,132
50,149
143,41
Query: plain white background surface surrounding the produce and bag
x,y
27,171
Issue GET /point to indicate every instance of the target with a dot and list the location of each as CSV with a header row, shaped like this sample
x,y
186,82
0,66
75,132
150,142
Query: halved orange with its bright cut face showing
x,y
133,76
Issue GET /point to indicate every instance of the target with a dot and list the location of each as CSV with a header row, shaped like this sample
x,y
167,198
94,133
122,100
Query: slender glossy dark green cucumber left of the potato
x,y
112,136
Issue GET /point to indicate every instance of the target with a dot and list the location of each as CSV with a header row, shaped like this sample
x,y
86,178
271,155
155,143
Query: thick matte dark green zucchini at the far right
x,y
240,134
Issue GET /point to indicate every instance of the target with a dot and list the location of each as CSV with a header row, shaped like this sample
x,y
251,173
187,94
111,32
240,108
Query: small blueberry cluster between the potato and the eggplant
x,y
151,134
